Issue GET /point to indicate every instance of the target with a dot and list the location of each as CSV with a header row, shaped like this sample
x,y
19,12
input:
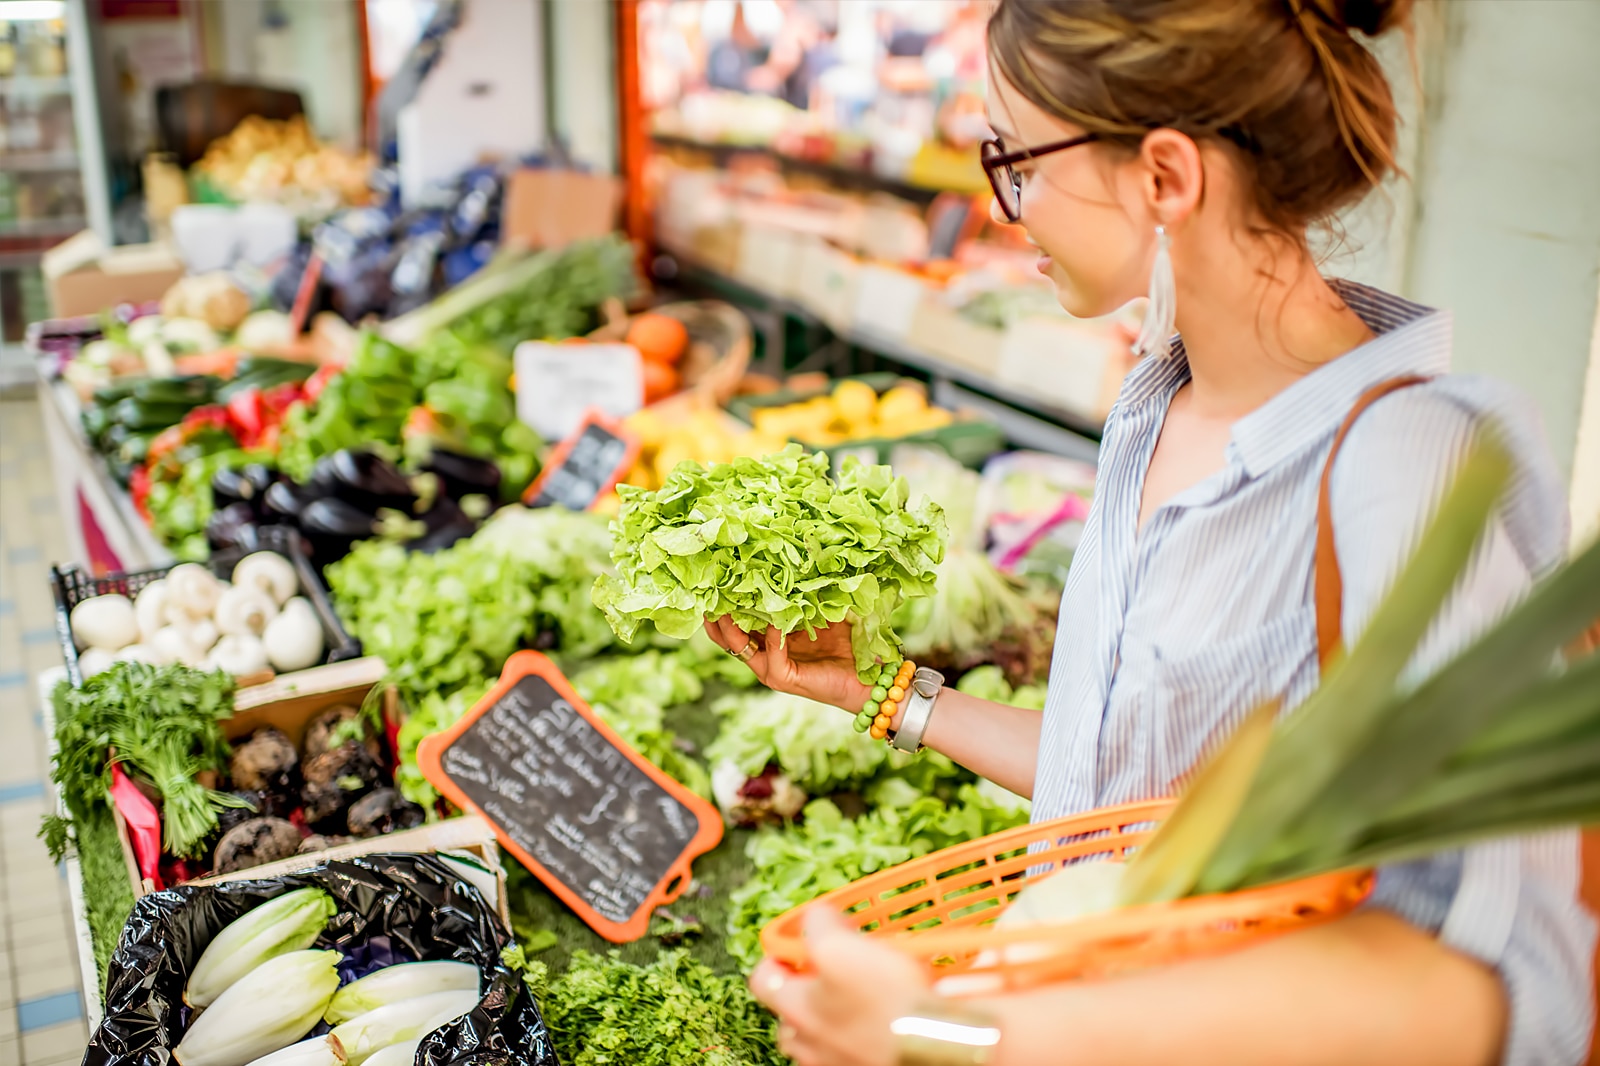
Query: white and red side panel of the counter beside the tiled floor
x,y
103,531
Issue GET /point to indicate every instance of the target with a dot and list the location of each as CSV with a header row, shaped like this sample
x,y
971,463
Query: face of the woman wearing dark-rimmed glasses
x,y
1084,209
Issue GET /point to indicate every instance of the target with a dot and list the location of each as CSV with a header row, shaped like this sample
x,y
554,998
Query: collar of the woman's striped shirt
x,y
1412,340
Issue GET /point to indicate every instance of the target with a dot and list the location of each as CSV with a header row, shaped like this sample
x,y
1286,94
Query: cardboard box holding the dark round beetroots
x,y
289,703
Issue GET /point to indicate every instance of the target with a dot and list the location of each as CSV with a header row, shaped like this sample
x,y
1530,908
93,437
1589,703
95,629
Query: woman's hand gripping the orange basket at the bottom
x,y
841,1014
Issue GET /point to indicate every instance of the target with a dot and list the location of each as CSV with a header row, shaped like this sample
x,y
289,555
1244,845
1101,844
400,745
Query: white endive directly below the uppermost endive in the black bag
x,y
268,1009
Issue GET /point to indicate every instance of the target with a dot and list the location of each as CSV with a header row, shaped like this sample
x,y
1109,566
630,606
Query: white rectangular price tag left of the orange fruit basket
x,y
559,383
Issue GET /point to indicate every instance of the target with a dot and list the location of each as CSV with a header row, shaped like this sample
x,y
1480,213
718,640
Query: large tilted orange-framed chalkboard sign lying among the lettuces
x,y
594,820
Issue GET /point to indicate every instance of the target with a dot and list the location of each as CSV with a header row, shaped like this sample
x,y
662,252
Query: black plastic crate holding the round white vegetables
x,y
71,587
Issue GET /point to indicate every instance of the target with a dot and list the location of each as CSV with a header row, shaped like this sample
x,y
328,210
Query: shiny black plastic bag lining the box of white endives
x,y
393,908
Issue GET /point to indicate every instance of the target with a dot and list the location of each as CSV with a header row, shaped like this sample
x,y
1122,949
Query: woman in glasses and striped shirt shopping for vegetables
x,y
1183,150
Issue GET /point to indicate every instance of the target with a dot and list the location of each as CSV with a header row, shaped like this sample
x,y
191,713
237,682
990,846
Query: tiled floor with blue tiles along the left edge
x,y
41,1006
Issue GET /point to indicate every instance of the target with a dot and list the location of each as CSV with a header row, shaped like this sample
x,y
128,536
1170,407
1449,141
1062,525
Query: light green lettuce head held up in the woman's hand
x,y
774,543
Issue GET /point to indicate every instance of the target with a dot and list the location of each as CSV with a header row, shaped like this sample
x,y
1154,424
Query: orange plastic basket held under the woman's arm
x,y
940,910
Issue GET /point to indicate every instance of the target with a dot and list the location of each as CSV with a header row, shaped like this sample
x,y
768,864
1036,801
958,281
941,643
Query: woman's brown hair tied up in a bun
x,y
1302,103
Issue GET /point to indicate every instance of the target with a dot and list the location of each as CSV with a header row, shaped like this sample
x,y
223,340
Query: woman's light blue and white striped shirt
x,y
1170,635
